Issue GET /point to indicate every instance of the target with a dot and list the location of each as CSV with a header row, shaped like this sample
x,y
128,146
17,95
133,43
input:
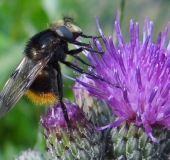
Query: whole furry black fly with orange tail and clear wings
x,y
38,75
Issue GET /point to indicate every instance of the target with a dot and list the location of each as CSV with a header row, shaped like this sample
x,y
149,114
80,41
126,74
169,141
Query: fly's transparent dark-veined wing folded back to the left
x,y
19,81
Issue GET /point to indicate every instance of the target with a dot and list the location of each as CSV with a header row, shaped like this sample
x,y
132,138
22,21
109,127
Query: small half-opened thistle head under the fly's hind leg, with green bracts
x,y
80,141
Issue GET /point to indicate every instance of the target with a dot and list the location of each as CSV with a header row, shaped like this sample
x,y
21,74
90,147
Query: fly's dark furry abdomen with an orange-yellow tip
x,y
44,89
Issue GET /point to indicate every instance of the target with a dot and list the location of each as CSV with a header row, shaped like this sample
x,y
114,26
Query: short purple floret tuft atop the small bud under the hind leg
x,y
54,118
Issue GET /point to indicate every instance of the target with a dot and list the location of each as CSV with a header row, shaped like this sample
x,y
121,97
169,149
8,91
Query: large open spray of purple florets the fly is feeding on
x,y
141,70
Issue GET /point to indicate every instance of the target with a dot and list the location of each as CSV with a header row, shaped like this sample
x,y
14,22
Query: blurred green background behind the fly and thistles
x,y
21,19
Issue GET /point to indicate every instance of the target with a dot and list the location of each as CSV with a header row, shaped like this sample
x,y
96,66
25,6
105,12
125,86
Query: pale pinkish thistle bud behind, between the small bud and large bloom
x,y
96,109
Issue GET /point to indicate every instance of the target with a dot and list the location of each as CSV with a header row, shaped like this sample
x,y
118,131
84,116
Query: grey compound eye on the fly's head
x,y
64,33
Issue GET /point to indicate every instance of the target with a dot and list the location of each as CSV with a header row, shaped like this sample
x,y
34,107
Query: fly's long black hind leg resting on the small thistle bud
x,y
60,93
